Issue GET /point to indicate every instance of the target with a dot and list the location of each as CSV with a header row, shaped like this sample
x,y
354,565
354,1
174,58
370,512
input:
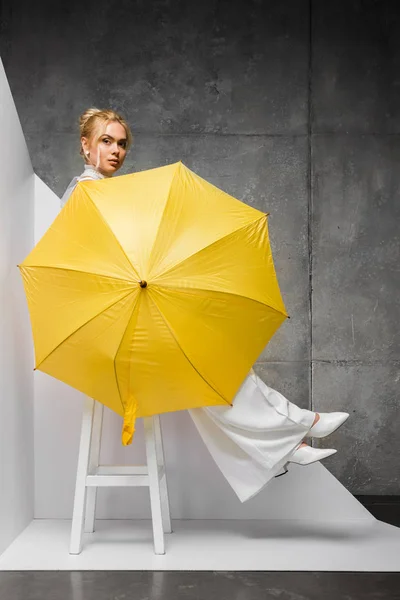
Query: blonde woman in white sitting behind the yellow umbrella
x,y
255,438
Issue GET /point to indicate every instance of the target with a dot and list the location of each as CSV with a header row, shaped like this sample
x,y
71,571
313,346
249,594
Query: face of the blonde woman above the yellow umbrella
x,y
108,153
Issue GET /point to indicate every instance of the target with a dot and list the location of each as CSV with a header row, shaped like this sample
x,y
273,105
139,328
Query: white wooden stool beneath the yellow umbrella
x,y
90,475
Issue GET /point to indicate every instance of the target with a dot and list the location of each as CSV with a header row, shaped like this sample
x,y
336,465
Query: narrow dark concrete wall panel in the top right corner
x,y
355,66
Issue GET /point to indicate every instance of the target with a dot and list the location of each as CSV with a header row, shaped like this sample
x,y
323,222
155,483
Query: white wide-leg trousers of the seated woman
x,y
251,440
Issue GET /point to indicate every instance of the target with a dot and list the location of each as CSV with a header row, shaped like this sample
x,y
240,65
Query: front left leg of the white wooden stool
x,y
78,516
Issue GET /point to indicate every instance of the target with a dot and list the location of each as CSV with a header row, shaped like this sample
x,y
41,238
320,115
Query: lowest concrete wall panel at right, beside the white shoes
x,y
368,443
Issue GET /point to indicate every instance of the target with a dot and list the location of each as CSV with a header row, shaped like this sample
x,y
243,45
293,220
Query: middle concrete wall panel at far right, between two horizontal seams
x,y
356,248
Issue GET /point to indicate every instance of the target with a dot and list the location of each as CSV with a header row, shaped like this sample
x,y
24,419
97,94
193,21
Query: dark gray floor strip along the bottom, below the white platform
x,y
159,585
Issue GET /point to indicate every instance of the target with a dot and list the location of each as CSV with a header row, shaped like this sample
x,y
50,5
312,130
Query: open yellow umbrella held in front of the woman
x,y
152,292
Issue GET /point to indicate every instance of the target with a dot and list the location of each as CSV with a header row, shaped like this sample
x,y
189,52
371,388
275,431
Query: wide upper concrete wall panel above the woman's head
x,y
173,67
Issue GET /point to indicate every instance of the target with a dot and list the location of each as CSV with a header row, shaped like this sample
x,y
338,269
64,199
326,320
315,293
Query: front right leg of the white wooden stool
x,y
154,486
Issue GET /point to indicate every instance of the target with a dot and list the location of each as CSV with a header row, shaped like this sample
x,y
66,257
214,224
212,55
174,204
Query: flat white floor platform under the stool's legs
x,y
357,545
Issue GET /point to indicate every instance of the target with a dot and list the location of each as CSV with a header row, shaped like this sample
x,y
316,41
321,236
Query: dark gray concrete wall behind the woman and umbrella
x,y
292,106
